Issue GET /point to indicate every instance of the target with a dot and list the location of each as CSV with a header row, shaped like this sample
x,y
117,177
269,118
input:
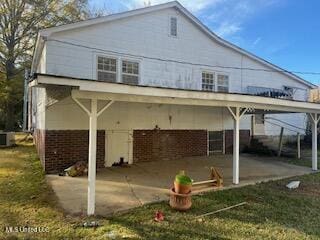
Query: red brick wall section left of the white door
x,y
65,147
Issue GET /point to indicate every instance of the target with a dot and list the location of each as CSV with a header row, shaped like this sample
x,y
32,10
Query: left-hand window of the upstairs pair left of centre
x,y
107,69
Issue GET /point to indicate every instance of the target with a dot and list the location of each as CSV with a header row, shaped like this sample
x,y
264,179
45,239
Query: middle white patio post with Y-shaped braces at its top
x,y
237,114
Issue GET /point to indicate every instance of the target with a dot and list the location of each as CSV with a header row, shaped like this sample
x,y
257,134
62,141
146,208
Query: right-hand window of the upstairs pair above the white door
x,y
130,72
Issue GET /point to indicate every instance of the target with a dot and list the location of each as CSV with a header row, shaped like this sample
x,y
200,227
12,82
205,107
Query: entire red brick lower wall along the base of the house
x,y
59,149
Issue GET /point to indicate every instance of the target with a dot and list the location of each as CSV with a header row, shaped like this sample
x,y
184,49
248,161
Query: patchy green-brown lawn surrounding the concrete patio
x,y
273,211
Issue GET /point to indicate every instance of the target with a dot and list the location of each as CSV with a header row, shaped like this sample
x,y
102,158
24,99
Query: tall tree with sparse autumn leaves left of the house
x,y
20,21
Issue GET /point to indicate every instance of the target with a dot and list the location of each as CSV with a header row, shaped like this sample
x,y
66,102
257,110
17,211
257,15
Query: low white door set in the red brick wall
x,y
118,146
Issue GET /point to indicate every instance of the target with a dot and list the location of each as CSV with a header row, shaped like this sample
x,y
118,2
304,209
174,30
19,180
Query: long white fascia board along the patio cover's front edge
x,y
122,92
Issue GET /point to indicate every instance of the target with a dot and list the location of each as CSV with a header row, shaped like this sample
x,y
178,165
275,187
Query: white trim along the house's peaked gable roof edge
x,y
43,34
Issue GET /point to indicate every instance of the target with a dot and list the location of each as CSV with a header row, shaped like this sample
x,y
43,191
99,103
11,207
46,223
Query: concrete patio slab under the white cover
x,y
122,188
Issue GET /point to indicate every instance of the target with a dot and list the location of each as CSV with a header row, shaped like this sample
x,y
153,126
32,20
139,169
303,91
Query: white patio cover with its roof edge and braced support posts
x,y
237,104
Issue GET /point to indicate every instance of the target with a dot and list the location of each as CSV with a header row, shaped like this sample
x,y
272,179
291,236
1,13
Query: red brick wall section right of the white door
x,y
155,145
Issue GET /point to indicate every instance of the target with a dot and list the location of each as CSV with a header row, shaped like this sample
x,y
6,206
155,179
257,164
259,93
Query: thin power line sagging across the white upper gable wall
x,y
184,62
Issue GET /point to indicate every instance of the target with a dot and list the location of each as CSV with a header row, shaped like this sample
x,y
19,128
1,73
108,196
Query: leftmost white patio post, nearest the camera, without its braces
x,y
92,157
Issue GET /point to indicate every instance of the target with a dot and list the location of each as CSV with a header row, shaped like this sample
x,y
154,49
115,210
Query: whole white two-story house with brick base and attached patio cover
x,y
153,84
